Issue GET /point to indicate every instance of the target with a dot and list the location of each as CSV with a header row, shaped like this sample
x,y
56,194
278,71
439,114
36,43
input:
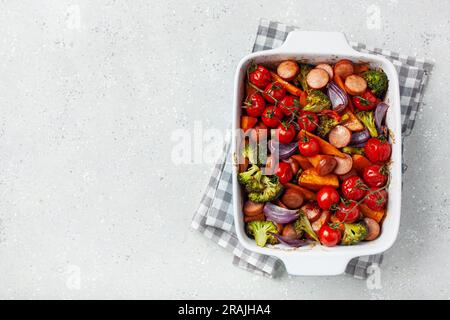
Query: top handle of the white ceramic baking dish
x,y
317,42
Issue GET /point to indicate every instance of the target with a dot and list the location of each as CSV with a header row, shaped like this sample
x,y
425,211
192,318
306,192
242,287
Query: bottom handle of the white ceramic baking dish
x,y
316,265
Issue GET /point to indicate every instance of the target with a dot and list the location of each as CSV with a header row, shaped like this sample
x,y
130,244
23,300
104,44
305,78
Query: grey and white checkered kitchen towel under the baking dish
x,y
214,217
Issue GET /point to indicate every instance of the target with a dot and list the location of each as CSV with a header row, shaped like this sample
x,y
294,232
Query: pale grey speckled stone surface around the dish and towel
x,y
91,203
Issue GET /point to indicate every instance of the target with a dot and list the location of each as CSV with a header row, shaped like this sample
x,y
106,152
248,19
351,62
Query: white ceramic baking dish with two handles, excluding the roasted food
x,y
316,47
